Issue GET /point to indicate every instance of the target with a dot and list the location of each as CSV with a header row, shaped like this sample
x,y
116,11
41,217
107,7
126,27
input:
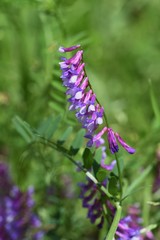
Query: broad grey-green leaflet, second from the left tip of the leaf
x,y
48,127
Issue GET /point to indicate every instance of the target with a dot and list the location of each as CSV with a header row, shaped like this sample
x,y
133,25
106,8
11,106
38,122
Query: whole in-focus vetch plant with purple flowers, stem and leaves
x,y
104,191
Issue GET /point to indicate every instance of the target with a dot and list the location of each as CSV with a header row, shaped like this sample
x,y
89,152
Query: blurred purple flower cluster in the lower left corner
x,y
16,216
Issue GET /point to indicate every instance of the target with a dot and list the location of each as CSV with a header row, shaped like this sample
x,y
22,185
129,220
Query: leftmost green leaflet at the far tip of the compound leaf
x,y
23,129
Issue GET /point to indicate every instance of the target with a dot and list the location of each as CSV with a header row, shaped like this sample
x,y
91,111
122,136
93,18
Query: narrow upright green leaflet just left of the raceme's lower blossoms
x,y
77,142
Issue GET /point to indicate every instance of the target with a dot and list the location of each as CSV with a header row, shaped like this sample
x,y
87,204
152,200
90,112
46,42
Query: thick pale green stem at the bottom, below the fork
x,y
113,228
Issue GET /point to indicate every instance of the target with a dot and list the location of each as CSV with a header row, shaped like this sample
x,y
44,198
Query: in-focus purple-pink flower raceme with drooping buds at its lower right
x,y
83,101
